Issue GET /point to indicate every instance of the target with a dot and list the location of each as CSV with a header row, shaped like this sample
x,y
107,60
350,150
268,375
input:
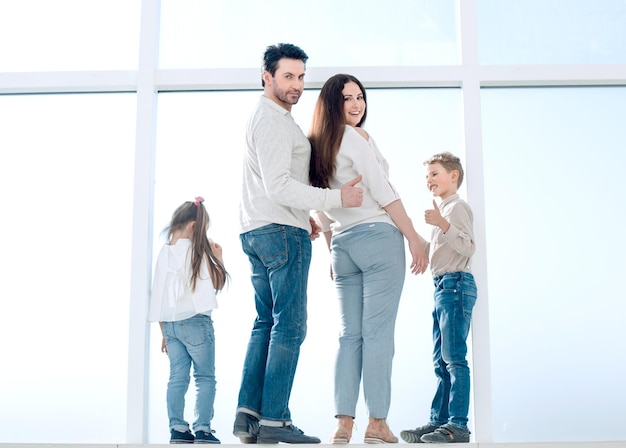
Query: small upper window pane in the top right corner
x,y
552,32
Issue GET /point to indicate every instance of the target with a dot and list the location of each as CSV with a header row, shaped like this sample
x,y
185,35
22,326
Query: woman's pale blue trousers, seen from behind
x,y
369,268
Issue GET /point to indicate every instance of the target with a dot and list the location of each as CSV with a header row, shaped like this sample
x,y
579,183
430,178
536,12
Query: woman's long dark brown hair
x,y
328,127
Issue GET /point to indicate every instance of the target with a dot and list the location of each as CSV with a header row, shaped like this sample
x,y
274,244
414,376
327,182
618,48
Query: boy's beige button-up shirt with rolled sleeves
x,y
452,251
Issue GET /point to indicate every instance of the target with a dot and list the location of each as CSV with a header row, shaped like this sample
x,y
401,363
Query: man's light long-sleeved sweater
x,y
276,186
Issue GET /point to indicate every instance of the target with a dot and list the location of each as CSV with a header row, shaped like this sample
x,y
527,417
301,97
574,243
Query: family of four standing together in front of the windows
x,y
333,181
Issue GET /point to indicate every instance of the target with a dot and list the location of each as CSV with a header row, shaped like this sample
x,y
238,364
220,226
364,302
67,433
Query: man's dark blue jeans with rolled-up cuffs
x,y
279,258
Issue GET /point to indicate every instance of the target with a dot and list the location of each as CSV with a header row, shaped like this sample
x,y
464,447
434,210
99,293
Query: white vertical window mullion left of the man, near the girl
x,y
141,264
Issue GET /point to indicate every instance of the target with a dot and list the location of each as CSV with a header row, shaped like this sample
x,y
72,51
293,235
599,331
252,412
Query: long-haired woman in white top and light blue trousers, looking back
x,y
367,254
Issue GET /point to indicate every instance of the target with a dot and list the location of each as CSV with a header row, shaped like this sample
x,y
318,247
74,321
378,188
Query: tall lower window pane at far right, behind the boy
x,y
552,200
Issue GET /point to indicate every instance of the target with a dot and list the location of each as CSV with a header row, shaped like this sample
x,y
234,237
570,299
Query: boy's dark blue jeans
x,y
455,296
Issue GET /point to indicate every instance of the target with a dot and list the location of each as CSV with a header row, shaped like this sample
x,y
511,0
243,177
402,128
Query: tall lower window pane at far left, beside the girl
x,y
66,170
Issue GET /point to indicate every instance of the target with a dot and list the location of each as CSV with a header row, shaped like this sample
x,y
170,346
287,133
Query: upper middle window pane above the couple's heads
x,y
233,33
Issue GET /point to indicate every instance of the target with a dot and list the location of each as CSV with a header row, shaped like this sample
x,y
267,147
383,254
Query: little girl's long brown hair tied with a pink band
x,y
200,246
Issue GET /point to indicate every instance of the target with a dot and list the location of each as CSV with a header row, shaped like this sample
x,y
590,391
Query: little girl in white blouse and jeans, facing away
x,y
189,272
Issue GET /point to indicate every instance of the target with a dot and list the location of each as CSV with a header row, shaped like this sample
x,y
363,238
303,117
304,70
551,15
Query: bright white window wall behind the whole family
x,y
550,160
